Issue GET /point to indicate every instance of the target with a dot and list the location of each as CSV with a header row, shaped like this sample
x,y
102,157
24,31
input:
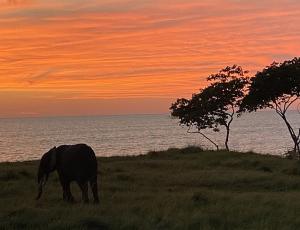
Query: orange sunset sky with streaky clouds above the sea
x,y
104,57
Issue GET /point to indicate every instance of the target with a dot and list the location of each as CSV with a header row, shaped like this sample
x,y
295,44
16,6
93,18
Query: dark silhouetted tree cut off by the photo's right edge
x,y
277,87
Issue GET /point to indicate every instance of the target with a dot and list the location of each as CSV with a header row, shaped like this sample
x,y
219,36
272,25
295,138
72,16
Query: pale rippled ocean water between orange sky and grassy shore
x,y
28,138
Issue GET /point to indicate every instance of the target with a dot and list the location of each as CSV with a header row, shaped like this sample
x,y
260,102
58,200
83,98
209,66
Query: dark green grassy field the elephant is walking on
x,y
175,189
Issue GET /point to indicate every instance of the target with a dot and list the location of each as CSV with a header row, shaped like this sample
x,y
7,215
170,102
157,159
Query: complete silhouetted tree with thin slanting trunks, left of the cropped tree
x,y
215,105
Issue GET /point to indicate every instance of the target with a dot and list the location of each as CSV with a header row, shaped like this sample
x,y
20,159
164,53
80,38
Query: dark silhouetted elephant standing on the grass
x,y
72,163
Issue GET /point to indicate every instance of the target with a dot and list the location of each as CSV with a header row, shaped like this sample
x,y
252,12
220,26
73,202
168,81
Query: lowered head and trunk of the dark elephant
x,y
47,165
